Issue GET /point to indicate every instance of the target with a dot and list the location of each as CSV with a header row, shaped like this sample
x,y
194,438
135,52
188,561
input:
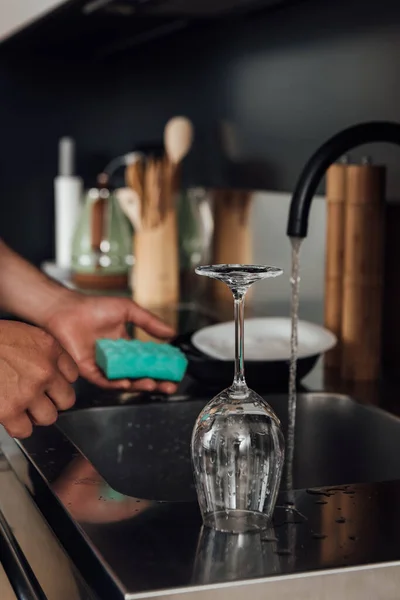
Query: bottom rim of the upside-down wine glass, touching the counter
x,y
237,521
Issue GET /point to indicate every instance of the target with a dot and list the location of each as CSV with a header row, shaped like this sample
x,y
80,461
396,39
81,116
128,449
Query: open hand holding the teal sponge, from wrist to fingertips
x,y
78,321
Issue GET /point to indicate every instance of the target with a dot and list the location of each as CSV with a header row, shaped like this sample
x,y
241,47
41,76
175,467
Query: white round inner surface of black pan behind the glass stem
x,y
266,339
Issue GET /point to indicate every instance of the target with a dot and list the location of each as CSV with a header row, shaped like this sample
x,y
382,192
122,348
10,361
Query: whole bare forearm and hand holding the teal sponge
x,y
76,321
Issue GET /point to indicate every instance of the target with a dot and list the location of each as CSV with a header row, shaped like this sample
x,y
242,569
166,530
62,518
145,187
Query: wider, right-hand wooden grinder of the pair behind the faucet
x,y
363,272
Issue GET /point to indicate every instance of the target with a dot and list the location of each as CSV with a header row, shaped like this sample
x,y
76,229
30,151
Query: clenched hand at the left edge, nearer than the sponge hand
x,y
35,378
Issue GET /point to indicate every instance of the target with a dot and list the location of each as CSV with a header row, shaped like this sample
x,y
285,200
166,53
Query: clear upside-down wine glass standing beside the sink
x,y
237,443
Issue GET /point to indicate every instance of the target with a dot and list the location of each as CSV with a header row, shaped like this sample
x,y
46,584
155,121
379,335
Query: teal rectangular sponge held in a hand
x,y
132,359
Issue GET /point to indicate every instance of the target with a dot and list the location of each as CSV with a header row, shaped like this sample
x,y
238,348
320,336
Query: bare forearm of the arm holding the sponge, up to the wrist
x,y
25,291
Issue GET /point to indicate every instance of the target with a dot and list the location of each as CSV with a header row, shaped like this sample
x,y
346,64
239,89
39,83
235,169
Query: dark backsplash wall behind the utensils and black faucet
x,y
285,80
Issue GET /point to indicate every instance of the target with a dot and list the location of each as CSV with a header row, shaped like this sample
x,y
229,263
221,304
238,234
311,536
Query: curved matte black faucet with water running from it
x,y
332,150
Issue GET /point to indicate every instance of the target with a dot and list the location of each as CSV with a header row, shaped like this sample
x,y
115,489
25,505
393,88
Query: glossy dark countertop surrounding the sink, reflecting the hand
x,y
338,542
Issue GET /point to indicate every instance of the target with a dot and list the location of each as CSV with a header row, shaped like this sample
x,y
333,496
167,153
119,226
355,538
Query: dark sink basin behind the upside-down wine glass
x,y
142,450
